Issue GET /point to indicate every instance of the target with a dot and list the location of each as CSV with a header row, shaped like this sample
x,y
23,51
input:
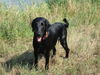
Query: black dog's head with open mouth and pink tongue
x,y
40,26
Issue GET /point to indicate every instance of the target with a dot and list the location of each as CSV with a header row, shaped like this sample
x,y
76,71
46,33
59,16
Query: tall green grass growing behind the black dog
x,y
15,23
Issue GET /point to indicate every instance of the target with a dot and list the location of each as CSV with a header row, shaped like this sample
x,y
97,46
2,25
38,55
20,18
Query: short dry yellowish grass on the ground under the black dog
x,y
84,55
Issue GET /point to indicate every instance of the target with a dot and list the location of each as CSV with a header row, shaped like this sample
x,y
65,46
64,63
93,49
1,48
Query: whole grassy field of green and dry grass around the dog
x,y
16,50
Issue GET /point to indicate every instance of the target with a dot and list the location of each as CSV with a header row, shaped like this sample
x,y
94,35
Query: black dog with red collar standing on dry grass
x,y
46,36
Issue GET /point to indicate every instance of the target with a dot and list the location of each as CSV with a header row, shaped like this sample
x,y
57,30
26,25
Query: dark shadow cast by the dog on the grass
x,y
27,58
